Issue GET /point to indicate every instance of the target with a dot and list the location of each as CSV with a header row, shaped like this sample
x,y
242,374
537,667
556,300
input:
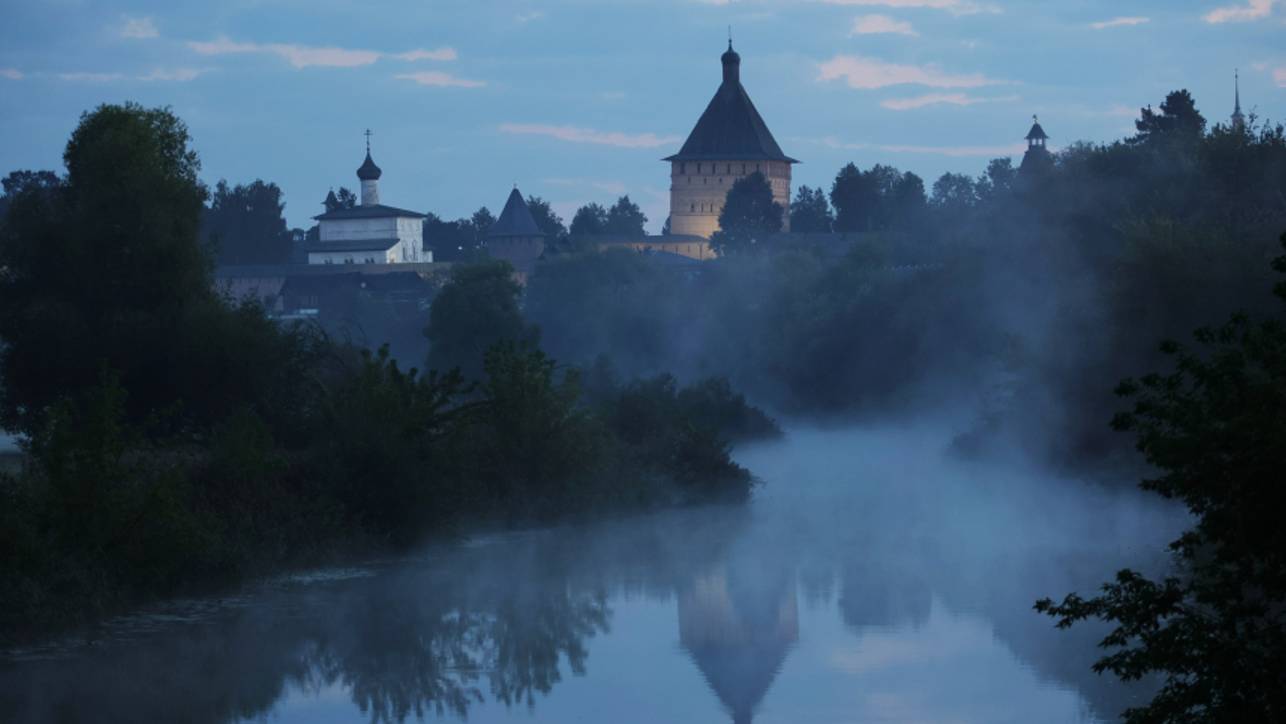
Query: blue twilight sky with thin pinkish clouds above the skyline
x,y
577,101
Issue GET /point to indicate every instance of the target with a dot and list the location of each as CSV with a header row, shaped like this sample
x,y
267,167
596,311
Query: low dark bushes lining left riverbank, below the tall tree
x,y
98,521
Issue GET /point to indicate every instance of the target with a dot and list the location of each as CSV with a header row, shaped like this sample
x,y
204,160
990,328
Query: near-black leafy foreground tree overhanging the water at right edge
x,y
1216,629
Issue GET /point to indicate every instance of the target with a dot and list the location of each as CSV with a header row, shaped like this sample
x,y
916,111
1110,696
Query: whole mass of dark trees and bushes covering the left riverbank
x,y
177,440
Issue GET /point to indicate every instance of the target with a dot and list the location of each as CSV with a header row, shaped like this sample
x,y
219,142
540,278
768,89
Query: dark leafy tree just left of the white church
x,y
245,224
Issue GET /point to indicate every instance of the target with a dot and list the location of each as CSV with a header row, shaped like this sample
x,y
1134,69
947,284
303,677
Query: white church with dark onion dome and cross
x,y
370,233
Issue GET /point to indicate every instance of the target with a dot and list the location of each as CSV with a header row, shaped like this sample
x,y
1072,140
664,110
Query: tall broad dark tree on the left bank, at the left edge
x,y
111,277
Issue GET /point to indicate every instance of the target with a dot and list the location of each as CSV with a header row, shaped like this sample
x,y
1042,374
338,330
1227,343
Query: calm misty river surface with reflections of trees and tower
x,y
873,579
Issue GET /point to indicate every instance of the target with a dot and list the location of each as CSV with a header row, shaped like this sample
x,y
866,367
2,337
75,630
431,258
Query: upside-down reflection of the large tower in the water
x,y
739,627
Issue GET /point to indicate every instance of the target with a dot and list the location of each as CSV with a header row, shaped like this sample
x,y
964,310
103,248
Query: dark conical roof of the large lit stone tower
x,y
731,129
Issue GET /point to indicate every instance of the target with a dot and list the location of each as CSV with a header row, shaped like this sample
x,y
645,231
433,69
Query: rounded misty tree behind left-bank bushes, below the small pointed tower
x,y
476,309
